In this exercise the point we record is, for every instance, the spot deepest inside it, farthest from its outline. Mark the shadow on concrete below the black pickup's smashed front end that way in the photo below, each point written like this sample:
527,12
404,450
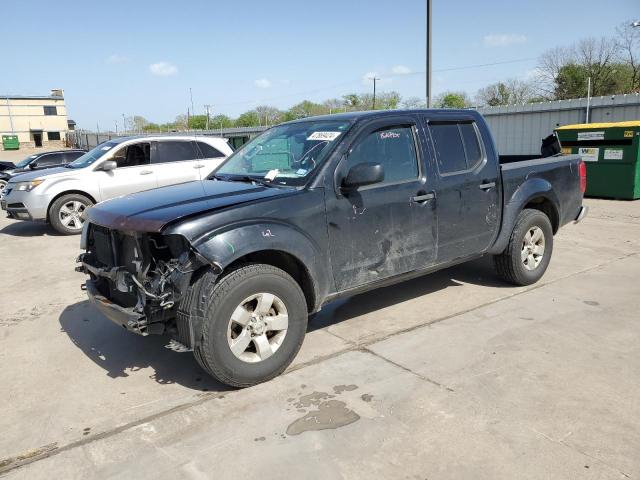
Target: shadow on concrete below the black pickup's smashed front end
121,353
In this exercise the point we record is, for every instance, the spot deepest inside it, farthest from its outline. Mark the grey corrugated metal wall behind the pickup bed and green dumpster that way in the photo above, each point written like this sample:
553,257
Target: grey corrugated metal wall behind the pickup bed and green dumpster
519,129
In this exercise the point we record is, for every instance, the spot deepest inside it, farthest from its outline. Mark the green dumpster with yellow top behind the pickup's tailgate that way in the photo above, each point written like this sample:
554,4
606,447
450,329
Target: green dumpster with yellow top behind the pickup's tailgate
611,153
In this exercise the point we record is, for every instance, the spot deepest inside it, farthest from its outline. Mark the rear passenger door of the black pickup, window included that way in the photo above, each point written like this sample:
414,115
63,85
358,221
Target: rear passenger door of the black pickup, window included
467,189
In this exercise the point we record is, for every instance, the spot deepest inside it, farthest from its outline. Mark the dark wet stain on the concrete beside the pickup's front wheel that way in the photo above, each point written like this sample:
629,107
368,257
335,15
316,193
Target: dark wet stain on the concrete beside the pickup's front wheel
328,412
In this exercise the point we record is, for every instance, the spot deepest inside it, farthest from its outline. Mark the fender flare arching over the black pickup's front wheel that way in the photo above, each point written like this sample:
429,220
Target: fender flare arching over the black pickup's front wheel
225,247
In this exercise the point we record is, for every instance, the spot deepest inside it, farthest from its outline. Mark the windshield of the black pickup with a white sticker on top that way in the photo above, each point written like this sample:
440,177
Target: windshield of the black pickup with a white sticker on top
284,155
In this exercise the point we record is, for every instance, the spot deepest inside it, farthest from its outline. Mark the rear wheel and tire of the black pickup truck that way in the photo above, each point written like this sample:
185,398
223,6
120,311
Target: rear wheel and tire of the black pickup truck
528,253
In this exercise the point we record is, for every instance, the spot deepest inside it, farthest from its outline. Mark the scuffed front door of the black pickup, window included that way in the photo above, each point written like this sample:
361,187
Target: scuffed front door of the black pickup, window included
387,228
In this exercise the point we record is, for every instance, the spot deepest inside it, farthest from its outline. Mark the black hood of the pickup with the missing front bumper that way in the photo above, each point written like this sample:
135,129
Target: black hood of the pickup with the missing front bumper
152,210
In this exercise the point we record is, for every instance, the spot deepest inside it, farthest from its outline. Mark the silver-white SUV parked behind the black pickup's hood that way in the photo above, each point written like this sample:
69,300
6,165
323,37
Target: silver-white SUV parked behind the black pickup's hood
117,167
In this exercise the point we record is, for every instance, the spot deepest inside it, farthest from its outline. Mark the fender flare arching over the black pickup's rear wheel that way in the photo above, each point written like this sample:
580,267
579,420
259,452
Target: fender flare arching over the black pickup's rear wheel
532,188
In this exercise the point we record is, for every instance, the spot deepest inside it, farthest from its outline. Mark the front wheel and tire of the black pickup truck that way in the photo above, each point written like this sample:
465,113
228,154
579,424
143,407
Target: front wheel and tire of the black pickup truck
254,323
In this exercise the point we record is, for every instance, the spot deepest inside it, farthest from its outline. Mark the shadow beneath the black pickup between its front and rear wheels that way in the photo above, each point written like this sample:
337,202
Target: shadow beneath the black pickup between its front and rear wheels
477,272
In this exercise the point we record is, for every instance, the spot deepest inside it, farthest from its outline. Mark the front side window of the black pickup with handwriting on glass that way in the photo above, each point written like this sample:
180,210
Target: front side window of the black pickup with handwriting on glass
392,147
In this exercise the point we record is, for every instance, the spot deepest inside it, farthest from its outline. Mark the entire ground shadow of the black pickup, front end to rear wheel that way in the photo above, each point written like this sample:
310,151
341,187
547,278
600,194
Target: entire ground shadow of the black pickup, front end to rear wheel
121,353
